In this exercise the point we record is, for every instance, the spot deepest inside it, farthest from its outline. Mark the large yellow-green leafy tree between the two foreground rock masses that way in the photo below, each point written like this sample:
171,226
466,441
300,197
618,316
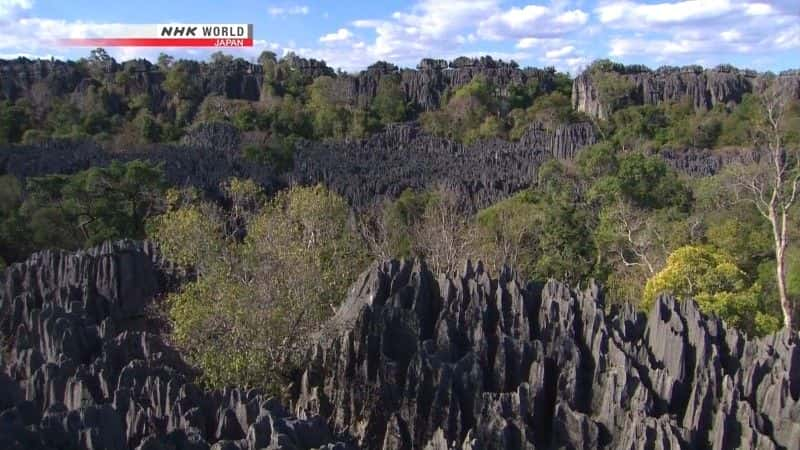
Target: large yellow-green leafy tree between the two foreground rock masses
265,294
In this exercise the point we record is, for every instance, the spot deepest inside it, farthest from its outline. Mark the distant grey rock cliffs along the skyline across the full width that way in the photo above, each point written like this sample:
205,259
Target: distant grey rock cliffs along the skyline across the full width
424,87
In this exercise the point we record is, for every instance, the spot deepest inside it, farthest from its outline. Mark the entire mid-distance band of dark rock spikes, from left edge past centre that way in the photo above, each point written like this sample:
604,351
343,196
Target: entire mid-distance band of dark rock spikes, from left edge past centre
364,171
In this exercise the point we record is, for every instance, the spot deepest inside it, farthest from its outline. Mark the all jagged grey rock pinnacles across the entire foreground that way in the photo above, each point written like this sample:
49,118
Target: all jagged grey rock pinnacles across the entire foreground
411,360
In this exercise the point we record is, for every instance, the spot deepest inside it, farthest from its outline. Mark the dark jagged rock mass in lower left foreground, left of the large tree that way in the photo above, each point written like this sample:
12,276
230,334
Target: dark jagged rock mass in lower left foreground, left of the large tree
88,369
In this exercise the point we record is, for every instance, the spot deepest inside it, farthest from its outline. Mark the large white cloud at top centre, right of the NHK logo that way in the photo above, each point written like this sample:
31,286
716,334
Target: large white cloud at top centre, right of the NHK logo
431,28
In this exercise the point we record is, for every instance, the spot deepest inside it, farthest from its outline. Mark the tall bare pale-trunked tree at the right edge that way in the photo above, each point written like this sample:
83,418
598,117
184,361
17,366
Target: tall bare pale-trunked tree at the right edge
772,185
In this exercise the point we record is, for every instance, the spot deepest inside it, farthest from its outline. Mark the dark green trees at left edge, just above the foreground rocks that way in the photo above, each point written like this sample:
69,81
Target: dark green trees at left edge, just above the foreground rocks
79,210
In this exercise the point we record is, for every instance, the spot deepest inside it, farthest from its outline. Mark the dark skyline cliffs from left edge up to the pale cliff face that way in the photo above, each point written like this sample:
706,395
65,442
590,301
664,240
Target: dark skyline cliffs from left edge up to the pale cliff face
423,87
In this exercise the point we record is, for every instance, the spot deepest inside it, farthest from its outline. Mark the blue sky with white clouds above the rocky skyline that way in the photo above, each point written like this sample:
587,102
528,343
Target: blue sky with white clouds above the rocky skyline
568,34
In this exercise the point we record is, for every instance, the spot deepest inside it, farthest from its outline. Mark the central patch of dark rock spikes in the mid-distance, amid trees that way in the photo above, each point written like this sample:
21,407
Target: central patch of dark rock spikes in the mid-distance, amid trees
404,156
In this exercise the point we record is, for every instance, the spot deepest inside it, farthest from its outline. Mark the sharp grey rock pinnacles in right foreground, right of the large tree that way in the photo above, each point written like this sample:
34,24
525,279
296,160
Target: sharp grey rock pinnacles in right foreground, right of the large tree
466,361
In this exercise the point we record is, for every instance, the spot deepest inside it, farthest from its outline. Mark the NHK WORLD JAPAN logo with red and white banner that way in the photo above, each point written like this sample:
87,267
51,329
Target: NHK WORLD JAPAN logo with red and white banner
165,35
